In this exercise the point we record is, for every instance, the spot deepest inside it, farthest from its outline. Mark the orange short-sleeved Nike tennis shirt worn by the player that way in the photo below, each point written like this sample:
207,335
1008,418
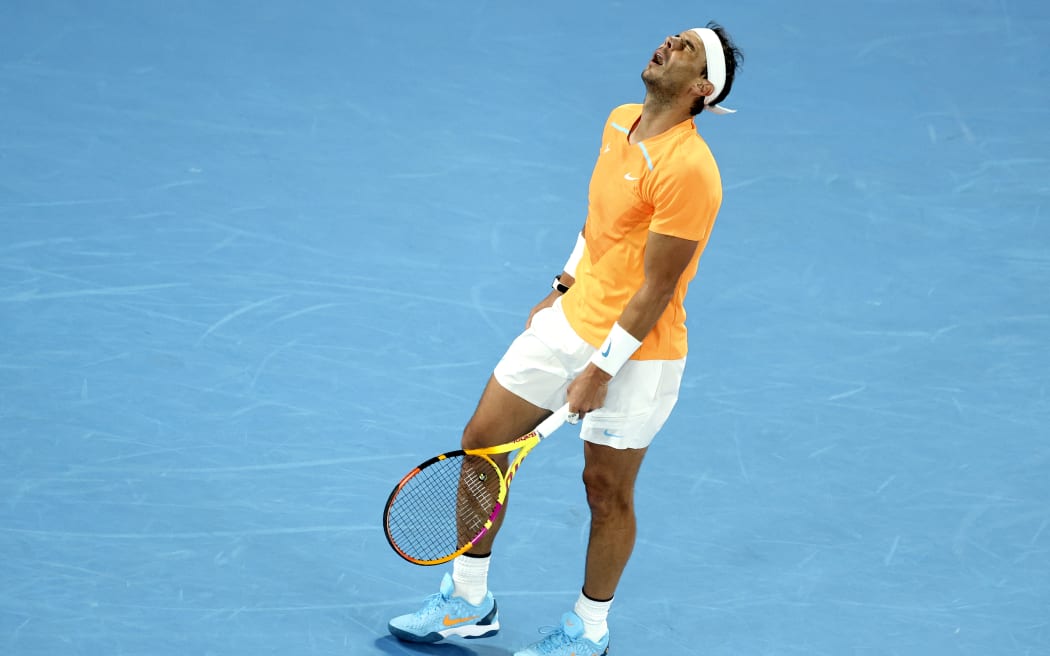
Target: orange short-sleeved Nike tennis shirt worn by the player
668,185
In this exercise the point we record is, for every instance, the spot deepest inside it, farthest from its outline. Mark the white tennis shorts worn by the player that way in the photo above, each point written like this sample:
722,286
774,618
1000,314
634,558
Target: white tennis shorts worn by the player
542,362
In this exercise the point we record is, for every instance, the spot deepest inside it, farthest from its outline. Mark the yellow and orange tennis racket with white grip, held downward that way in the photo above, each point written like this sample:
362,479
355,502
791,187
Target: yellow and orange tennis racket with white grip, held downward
446,505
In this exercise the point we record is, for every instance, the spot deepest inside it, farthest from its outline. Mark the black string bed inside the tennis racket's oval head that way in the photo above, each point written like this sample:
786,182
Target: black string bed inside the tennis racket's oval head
444,507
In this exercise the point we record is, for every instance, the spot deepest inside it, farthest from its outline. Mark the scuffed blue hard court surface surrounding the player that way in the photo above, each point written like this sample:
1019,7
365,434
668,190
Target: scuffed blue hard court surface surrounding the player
258,260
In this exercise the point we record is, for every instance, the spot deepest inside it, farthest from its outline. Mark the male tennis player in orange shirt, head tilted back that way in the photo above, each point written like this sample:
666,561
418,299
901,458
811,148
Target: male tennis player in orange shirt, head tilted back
610,340
